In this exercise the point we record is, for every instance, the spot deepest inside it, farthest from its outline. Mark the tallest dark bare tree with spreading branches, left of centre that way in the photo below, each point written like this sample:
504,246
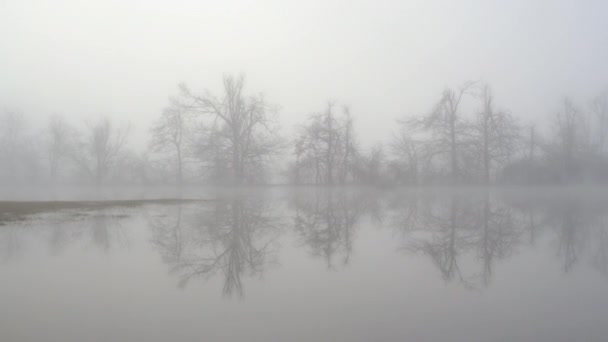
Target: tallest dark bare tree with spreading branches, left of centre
241,126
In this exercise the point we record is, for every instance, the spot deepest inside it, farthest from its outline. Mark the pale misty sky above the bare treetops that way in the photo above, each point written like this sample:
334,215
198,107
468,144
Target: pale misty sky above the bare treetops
387,59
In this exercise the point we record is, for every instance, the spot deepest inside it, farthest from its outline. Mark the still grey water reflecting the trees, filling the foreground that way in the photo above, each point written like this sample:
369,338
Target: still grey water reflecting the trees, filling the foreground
313,265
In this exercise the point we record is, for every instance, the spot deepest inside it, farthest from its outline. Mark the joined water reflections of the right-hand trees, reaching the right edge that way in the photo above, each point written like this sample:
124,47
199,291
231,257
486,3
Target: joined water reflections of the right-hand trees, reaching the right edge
485,228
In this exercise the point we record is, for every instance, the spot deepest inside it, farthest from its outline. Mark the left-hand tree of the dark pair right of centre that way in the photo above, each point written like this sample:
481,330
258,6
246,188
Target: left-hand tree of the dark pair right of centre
446,128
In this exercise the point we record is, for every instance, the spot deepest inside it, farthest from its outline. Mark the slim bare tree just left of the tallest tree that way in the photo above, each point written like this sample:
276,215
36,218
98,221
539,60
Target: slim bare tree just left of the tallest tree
170,134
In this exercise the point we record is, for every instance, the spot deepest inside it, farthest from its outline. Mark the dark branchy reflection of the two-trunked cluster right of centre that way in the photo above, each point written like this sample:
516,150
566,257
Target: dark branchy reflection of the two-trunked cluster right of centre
459,227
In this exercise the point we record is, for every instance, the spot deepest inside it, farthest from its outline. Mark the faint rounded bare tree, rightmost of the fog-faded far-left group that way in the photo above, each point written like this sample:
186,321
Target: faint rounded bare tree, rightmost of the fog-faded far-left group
101,147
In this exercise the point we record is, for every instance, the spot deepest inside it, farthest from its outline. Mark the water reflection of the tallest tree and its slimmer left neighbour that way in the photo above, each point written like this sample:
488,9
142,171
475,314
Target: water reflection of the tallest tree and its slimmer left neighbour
232,237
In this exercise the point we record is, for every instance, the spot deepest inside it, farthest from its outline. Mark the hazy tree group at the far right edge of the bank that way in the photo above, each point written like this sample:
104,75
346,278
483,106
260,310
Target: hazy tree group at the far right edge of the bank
574,150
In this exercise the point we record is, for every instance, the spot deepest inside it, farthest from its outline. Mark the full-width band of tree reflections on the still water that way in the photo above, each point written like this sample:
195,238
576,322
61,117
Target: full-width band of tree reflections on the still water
464,235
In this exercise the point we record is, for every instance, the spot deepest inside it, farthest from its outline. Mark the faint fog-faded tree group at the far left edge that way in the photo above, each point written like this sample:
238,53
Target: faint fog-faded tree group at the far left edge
96,152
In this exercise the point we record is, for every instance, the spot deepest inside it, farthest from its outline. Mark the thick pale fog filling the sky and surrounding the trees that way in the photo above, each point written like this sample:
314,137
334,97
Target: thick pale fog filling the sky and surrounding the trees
77,66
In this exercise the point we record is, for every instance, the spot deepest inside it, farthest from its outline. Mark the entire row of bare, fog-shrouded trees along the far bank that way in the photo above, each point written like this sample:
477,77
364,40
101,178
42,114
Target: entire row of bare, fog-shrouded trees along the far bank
234,138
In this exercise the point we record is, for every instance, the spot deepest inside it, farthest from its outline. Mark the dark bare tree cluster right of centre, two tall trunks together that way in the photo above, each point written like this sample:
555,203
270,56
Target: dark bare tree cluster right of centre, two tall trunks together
446,145
